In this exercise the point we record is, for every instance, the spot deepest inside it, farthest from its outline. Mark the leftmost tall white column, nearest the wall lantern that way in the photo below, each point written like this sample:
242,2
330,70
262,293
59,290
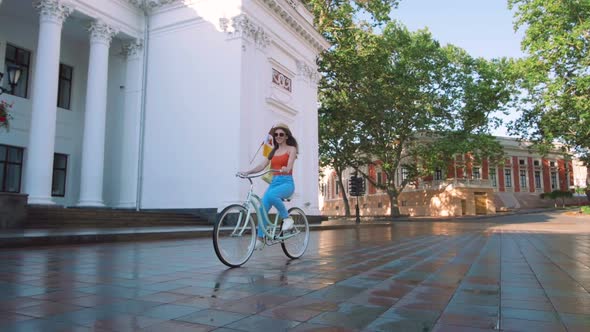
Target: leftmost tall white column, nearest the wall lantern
39,163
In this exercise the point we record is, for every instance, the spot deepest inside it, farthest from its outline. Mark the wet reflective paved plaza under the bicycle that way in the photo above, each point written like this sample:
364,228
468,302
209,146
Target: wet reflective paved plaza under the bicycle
513,273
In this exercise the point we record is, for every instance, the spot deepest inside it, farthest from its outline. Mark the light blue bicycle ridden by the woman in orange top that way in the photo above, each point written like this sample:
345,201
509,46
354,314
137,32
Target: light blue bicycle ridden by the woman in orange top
234,234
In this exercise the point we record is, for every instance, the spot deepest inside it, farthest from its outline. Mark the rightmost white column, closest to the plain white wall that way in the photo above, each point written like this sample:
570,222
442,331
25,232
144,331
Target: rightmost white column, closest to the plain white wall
131,122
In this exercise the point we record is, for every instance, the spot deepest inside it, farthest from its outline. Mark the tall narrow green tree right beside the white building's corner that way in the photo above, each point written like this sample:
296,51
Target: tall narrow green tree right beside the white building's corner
341,66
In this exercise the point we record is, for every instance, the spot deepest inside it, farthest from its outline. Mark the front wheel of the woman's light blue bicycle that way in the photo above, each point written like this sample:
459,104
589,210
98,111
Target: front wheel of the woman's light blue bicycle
234,235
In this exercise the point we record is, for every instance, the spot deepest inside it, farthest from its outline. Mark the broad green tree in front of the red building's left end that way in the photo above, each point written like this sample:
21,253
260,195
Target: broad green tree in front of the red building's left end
419,104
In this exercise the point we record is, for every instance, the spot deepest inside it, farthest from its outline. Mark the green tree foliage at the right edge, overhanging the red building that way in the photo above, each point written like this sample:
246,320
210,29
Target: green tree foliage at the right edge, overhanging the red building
554,76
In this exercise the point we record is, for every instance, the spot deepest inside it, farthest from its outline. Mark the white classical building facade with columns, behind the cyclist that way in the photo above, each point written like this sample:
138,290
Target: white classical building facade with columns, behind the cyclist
155,104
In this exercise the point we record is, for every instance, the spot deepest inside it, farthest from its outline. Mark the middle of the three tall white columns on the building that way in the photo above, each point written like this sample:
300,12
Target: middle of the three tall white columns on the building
95,115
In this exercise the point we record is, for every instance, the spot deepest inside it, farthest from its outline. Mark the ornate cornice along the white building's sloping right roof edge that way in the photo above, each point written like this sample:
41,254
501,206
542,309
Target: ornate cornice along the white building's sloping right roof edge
314,38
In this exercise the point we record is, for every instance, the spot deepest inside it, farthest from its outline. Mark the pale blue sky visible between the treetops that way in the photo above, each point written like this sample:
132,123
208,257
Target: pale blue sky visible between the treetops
484,28
